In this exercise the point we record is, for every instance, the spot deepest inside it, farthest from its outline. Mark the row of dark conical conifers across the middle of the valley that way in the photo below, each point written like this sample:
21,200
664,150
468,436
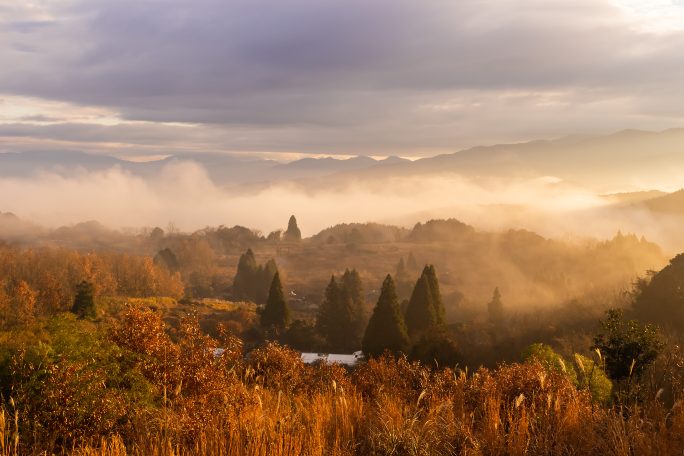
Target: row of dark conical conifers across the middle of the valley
342,321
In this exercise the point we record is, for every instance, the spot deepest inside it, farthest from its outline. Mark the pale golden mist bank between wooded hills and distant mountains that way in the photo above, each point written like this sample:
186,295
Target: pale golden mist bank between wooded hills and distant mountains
184,195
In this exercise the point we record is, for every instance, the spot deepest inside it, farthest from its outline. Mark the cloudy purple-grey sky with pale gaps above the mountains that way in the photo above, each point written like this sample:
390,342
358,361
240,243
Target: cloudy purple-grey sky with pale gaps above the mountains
378,77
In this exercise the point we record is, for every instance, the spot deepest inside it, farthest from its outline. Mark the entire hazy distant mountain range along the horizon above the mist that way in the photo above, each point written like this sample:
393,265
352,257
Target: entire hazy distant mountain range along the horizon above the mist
626,159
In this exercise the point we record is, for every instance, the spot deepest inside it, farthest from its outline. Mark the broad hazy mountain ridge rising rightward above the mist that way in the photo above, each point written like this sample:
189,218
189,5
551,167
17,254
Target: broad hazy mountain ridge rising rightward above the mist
603,163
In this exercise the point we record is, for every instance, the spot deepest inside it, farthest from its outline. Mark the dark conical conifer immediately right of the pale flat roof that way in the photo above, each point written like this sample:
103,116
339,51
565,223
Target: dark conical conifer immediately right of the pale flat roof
386,329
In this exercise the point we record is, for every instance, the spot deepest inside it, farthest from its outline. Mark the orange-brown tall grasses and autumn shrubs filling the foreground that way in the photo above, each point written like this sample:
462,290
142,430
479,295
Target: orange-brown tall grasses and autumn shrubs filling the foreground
273,404
